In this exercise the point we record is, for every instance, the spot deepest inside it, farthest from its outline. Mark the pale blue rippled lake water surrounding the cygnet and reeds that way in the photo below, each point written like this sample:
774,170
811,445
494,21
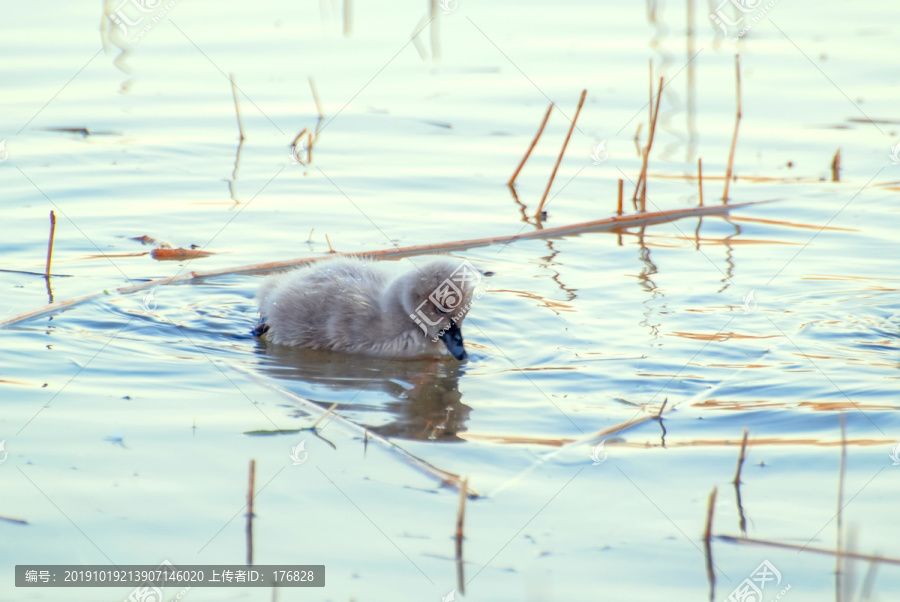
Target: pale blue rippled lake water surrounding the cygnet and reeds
128,422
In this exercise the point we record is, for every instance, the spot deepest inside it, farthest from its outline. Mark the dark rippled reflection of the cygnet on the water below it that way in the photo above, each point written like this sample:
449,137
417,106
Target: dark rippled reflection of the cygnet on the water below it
421,398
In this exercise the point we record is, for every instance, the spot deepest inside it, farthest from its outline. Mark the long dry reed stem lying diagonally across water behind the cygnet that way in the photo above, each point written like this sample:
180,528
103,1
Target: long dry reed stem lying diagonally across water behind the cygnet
602,225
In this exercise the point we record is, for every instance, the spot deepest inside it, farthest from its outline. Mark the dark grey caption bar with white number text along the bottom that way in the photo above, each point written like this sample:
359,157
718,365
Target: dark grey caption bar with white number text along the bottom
169,575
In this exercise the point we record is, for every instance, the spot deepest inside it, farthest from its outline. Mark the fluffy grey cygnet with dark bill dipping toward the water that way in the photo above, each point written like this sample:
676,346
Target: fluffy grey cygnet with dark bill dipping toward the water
357,306
